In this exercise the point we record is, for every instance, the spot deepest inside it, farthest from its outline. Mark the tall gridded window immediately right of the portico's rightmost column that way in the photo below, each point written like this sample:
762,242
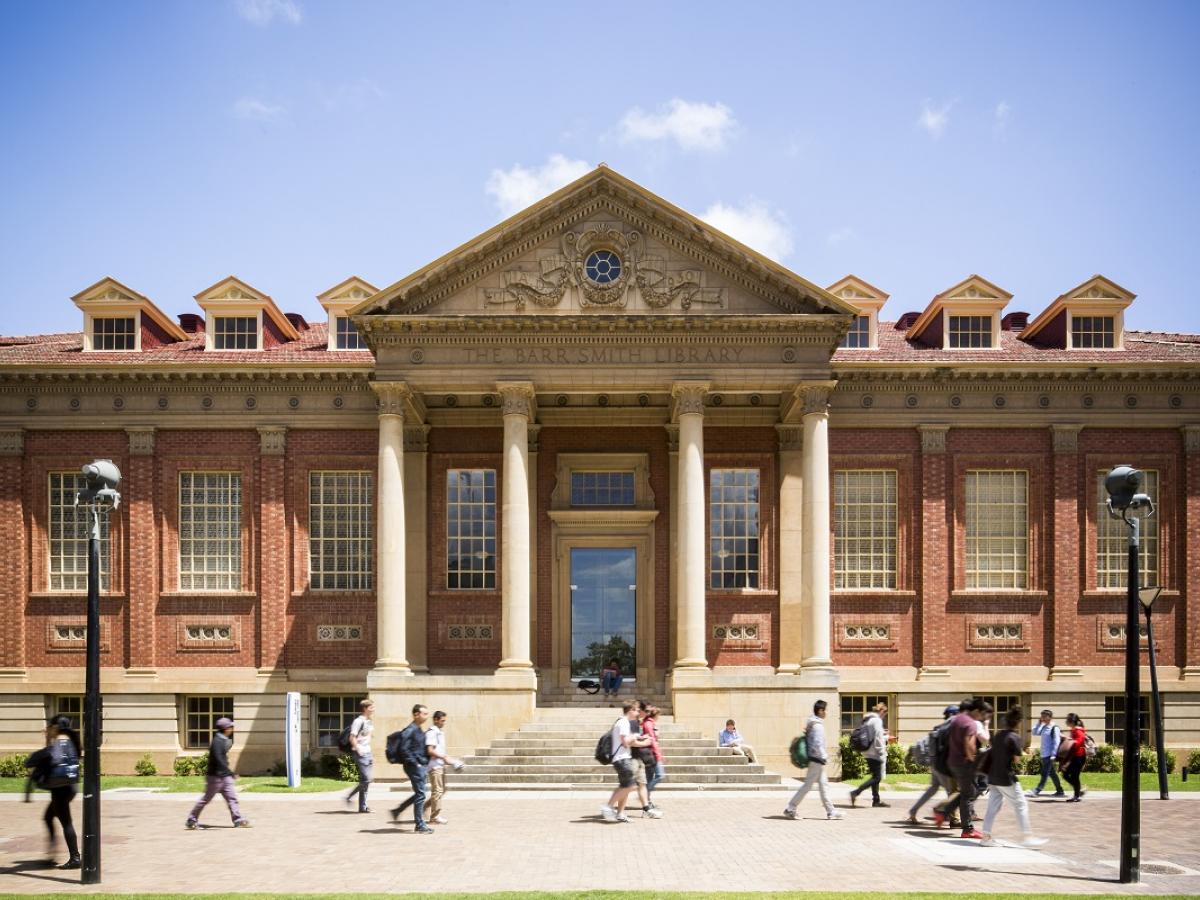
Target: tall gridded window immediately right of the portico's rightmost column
865,525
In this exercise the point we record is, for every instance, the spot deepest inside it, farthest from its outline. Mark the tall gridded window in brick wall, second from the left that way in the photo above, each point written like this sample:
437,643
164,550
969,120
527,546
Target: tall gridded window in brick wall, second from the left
209,531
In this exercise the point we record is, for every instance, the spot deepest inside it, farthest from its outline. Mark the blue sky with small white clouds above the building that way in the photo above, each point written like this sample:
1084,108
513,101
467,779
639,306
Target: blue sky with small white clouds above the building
295,143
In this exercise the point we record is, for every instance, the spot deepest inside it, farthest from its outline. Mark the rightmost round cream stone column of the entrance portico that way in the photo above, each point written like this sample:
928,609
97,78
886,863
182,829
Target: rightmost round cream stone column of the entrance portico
818,662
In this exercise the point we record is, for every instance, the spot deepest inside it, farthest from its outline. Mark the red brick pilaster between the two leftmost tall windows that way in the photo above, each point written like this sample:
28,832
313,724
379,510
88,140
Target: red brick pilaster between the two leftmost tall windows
139,496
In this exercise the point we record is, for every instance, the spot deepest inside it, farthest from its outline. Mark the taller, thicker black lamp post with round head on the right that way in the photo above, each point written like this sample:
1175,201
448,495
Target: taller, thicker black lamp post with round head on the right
1130,505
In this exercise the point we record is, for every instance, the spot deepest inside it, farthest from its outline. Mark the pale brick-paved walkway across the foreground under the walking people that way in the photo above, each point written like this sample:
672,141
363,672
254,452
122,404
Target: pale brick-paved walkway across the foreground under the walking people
556,841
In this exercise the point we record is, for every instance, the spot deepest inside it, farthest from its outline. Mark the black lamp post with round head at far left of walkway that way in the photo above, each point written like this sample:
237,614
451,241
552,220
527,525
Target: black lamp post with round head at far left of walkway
100,496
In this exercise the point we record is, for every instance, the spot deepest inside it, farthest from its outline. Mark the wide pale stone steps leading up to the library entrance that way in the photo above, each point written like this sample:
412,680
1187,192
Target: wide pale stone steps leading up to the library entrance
555,753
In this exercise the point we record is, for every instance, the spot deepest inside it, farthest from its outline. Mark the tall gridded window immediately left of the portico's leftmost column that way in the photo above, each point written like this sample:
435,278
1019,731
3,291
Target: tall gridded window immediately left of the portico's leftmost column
340,545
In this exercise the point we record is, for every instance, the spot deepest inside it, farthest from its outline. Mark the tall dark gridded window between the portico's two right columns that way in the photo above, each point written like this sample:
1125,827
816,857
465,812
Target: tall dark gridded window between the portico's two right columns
734,529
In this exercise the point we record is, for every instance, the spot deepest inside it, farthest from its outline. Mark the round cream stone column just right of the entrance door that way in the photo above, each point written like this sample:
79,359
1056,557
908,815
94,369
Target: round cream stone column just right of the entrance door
689,399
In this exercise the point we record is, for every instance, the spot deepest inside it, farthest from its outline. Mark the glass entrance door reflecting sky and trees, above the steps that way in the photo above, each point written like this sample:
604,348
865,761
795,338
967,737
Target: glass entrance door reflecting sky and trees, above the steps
604,610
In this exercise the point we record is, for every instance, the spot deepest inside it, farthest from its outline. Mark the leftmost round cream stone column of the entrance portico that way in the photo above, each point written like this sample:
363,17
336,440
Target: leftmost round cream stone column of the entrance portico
391,593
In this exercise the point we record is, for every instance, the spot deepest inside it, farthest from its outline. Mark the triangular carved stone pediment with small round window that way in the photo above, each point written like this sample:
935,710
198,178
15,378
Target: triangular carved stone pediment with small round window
603,245
